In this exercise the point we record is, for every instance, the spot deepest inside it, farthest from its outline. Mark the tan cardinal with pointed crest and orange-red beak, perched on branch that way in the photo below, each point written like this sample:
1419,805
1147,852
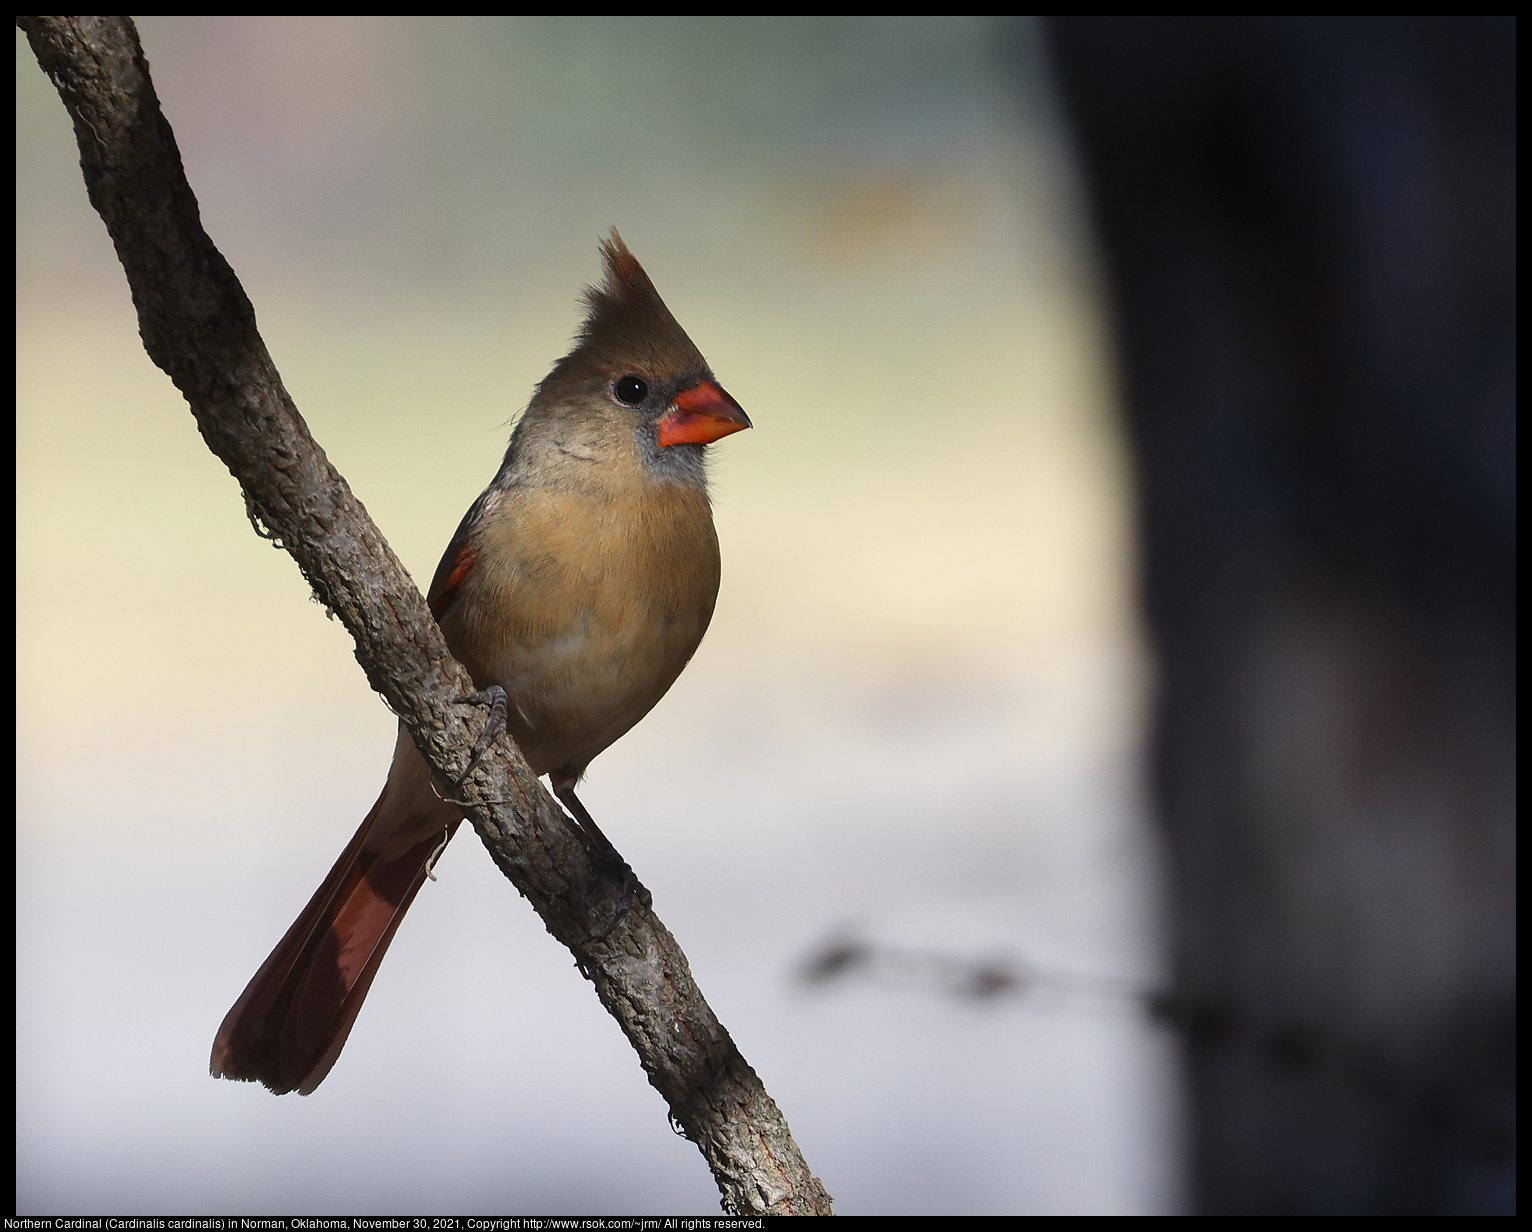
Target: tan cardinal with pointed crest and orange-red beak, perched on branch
581,582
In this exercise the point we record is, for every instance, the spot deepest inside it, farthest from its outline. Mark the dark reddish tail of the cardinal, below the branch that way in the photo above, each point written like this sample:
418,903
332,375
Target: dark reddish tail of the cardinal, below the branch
292,1021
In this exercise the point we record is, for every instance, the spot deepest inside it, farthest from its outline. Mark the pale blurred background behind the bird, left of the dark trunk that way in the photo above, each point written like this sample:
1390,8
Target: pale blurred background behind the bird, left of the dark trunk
917,718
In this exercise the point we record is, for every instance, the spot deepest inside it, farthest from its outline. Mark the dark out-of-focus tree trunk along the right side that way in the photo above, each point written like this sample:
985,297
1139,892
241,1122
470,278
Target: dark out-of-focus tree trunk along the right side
1309,231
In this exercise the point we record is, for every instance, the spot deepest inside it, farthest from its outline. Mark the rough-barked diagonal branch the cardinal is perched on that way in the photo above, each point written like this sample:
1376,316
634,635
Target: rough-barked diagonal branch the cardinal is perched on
198,326
